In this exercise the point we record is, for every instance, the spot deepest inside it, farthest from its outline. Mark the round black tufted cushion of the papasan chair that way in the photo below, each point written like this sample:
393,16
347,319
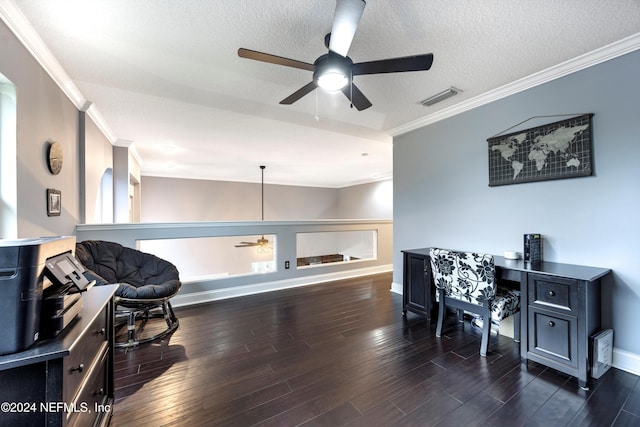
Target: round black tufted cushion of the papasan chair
139,274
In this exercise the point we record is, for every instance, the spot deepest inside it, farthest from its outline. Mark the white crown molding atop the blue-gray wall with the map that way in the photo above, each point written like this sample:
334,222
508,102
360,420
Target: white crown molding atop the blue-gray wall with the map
581,62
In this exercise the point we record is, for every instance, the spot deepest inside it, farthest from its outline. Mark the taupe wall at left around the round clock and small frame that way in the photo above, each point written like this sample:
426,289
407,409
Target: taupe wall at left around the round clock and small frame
43,113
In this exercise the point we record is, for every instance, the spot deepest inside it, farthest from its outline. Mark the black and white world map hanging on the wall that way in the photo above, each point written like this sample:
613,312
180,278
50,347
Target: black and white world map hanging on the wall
553,151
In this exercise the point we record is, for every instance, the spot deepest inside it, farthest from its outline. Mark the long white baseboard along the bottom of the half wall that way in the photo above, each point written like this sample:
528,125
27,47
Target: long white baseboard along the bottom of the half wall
182,300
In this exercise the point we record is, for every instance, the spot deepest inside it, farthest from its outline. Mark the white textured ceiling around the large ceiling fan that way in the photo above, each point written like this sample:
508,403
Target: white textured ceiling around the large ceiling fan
165,74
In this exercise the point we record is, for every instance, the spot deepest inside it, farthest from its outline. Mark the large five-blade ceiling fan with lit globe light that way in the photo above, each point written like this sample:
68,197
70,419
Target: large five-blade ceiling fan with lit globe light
335,70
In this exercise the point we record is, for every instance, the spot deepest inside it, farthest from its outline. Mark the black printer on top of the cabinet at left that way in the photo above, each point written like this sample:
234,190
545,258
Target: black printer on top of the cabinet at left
41,285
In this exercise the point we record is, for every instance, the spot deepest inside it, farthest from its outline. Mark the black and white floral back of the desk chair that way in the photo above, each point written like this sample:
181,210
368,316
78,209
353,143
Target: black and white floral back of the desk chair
466,276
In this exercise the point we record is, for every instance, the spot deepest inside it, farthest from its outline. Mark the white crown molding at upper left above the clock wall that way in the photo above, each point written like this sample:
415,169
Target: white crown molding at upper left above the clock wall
26,34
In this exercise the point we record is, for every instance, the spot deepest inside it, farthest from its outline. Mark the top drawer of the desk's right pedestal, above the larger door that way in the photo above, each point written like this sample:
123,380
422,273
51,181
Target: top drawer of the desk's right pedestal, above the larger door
553,292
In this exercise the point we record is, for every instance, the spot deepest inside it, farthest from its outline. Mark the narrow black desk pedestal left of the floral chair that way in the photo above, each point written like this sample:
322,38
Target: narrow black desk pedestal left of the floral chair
417,294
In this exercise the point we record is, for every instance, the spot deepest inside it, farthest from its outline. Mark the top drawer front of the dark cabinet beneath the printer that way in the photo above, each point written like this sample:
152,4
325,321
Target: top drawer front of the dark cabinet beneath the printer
76,366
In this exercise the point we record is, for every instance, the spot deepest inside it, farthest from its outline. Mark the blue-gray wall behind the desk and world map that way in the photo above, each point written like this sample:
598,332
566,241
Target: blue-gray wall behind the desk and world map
441,196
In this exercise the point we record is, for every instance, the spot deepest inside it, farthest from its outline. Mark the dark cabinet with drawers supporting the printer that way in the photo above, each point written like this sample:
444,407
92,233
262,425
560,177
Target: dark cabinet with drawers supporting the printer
68,380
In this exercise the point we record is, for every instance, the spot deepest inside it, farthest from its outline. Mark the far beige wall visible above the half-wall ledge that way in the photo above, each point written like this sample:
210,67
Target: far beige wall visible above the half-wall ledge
177,200
